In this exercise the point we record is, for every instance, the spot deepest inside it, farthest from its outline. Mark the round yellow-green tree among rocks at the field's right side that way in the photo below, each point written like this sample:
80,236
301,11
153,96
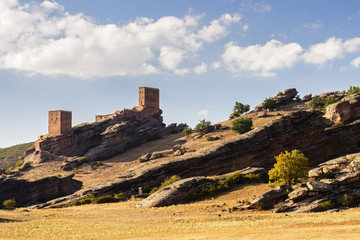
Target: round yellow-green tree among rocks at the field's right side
290,168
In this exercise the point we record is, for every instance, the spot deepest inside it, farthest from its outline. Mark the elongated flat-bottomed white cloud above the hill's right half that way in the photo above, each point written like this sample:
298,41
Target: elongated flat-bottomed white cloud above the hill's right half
261,60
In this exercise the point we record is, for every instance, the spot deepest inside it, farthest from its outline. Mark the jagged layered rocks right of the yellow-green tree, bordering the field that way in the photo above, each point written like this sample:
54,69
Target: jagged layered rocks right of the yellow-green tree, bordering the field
334,184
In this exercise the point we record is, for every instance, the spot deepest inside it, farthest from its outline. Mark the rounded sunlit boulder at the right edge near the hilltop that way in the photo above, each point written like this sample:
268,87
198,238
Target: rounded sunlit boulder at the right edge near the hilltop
347,110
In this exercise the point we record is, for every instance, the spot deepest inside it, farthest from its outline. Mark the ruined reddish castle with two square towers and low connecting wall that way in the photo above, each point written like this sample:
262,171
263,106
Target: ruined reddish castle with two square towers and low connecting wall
61,121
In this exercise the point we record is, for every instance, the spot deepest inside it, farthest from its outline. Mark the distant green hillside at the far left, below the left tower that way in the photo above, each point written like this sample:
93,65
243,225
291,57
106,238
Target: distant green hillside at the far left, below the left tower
9,156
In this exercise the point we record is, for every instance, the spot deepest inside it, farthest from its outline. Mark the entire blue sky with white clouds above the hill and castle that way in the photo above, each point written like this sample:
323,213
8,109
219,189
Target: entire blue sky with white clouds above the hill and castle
90,56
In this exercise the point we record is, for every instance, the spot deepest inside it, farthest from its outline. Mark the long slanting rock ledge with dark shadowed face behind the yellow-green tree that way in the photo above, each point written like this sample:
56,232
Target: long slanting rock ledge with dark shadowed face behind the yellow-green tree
303,130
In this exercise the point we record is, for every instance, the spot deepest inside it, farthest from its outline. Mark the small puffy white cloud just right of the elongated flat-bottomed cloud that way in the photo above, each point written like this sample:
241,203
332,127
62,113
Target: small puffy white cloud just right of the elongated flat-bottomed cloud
322,52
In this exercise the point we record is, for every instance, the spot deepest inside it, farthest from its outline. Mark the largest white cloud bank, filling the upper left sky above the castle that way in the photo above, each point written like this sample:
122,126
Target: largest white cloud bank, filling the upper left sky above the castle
42,38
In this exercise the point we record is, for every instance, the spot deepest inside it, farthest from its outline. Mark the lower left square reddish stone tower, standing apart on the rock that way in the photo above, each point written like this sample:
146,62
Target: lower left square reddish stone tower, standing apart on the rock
59,121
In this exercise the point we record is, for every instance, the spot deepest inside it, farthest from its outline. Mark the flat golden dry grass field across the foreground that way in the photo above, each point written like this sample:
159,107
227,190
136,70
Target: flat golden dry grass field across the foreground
202,220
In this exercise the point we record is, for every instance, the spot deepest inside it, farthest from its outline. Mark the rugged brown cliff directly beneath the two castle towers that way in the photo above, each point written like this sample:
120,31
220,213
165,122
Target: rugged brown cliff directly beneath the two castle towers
102,139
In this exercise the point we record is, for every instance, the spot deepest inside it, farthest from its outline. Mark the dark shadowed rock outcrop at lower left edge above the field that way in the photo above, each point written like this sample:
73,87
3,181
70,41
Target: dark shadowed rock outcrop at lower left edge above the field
31,192
